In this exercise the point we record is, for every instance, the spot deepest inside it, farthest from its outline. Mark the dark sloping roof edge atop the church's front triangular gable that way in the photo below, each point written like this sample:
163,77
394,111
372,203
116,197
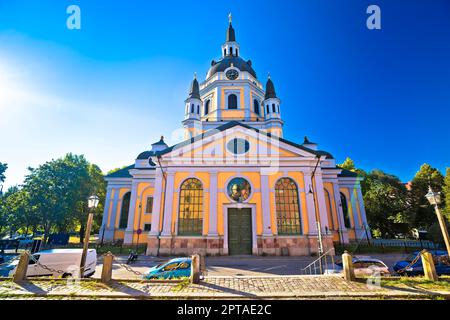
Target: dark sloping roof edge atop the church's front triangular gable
232,124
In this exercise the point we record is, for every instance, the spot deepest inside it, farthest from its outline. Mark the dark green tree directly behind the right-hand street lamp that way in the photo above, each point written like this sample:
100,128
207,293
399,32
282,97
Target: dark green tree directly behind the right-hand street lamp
423,214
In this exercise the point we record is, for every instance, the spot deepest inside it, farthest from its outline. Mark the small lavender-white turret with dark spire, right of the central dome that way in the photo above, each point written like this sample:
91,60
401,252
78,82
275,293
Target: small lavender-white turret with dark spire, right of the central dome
272,109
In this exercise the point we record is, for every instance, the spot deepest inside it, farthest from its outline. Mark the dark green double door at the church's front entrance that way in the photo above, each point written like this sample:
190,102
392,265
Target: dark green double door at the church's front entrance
239,231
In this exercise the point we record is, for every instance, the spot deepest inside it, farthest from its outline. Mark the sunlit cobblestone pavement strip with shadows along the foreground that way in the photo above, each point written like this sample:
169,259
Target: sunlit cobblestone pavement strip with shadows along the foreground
300,287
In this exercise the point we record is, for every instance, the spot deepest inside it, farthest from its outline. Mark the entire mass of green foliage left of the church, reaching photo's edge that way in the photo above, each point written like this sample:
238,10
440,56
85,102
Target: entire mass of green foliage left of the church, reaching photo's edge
54,197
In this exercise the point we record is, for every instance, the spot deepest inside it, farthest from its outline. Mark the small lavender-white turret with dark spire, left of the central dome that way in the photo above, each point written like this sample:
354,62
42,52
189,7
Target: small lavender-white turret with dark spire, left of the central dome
193,109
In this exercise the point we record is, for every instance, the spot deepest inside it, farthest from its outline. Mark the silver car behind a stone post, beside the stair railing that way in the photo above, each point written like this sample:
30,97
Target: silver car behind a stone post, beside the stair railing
363,266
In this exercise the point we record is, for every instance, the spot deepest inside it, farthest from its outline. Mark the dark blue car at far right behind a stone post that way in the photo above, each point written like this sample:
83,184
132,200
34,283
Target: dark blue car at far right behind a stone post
441,262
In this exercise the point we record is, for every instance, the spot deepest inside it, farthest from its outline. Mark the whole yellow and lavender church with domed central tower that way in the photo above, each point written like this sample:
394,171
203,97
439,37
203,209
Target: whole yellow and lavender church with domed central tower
235,185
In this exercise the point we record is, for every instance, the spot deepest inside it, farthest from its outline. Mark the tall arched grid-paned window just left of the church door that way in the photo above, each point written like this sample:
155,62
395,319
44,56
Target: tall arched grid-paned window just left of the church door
190,218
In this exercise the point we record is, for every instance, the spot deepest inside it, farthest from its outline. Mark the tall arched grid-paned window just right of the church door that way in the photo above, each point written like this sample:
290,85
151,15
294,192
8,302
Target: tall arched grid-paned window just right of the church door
287,206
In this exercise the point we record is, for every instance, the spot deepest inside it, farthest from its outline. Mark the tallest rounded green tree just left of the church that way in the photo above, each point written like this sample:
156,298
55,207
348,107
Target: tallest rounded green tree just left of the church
58,192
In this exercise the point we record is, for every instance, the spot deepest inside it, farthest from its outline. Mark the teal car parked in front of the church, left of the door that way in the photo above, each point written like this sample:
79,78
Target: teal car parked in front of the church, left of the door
175,268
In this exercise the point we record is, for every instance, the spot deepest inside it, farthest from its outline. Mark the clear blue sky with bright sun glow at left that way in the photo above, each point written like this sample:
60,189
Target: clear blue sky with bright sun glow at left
114,87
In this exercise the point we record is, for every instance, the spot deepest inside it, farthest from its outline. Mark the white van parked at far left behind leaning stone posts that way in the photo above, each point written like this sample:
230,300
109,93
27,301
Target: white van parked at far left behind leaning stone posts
61,262
